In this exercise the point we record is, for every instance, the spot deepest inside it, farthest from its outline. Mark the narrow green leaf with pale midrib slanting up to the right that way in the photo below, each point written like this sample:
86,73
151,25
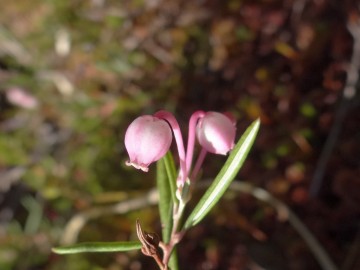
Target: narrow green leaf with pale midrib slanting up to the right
225,176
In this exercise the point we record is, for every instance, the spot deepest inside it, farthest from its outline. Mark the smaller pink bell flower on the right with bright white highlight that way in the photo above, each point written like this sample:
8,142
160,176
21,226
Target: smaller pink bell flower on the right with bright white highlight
216,133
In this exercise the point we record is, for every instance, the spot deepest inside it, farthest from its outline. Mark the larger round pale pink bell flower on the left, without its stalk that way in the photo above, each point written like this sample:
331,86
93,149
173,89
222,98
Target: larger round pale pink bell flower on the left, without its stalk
147,140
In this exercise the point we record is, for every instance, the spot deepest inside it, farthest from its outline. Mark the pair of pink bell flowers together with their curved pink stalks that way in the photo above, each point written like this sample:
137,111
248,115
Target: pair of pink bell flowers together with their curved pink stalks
149,137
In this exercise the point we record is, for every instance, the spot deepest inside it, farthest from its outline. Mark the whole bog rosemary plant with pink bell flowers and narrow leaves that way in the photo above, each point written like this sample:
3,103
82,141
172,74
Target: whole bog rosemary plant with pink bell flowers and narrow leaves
148,140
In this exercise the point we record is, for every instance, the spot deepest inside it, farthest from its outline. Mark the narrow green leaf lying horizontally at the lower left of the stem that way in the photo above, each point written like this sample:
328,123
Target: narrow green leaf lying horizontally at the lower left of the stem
98,247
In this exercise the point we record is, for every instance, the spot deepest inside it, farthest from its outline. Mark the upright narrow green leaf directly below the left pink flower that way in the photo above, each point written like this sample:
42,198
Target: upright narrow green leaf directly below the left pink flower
165,200
